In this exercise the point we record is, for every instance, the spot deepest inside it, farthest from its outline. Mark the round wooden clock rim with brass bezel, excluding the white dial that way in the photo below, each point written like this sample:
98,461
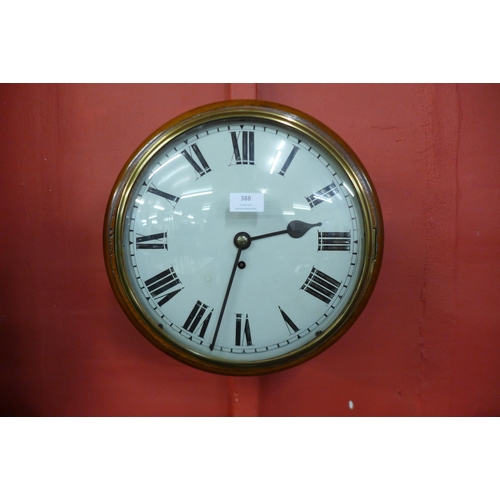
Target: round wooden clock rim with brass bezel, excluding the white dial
249,108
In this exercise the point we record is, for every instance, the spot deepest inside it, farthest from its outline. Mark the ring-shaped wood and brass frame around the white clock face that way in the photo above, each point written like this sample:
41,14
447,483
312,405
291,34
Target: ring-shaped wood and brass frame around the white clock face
317,133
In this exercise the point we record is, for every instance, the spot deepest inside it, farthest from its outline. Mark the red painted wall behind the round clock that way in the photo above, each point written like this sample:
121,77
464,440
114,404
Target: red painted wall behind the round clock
428,343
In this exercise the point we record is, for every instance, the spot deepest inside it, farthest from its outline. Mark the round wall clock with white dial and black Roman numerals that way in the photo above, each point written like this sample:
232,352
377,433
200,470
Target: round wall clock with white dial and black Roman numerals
243,238
